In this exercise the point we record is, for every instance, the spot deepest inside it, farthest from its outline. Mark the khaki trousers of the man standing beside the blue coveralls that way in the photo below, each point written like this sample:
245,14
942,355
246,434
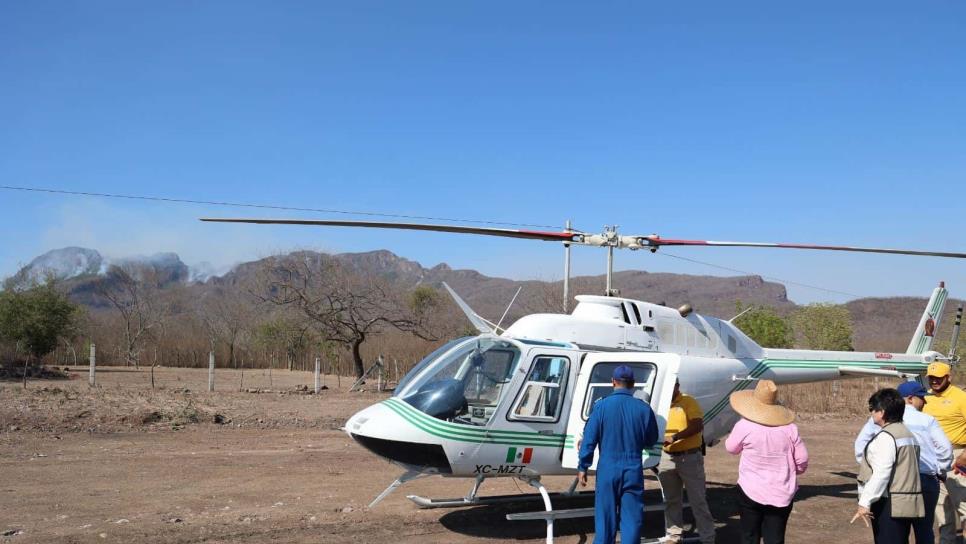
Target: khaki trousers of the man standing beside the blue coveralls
677,474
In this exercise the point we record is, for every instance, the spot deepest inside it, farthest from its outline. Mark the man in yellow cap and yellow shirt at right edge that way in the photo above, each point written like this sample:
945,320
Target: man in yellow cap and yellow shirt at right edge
948,405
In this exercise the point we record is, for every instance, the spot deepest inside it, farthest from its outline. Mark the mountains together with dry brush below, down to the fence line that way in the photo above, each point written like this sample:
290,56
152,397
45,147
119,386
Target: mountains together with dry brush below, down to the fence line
286,310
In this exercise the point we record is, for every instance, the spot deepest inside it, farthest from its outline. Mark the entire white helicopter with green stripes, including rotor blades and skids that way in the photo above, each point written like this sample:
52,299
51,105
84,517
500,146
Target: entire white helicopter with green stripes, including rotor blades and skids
512,402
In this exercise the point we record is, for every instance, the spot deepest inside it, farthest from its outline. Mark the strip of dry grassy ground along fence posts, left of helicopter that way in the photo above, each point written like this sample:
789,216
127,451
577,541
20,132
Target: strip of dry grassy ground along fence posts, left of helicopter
124,401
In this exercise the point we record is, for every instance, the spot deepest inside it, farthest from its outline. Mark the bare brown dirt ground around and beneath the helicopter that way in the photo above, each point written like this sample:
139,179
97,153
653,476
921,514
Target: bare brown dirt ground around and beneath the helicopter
125,463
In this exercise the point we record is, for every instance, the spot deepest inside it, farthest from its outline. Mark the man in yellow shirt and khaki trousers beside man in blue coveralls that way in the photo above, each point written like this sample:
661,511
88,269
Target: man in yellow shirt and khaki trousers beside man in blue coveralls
682,467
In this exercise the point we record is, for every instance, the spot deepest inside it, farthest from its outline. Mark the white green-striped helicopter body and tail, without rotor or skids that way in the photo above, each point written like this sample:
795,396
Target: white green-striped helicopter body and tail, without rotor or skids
514,404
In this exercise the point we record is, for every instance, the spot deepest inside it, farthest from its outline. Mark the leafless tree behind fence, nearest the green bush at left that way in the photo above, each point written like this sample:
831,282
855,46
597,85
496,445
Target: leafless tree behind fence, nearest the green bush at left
135,296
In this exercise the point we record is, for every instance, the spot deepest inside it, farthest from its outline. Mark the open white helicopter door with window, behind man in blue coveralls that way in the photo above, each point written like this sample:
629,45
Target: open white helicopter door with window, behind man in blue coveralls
655,375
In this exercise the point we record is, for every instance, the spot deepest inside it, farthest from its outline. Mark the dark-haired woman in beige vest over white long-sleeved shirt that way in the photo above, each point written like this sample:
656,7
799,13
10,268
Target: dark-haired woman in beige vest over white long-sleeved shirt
890,493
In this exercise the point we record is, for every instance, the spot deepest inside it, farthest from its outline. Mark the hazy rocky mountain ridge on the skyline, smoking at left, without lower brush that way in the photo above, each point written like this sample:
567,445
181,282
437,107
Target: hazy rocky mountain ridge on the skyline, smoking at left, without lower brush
885,322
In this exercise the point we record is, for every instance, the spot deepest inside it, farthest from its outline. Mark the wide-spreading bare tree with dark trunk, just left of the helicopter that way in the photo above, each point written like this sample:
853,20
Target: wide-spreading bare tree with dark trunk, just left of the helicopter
346,306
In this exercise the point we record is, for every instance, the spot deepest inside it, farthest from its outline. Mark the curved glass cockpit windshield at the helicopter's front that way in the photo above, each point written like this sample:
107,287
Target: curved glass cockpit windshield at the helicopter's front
465,382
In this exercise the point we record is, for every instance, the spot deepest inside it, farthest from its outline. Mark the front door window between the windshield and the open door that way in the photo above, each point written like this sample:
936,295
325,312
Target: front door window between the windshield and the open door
543,392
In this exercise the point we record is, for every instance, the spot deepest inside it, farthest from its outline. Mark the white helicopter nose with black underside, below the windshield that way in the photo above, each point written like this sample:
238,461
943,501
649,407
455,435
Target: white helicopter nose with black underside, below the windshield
387,434
